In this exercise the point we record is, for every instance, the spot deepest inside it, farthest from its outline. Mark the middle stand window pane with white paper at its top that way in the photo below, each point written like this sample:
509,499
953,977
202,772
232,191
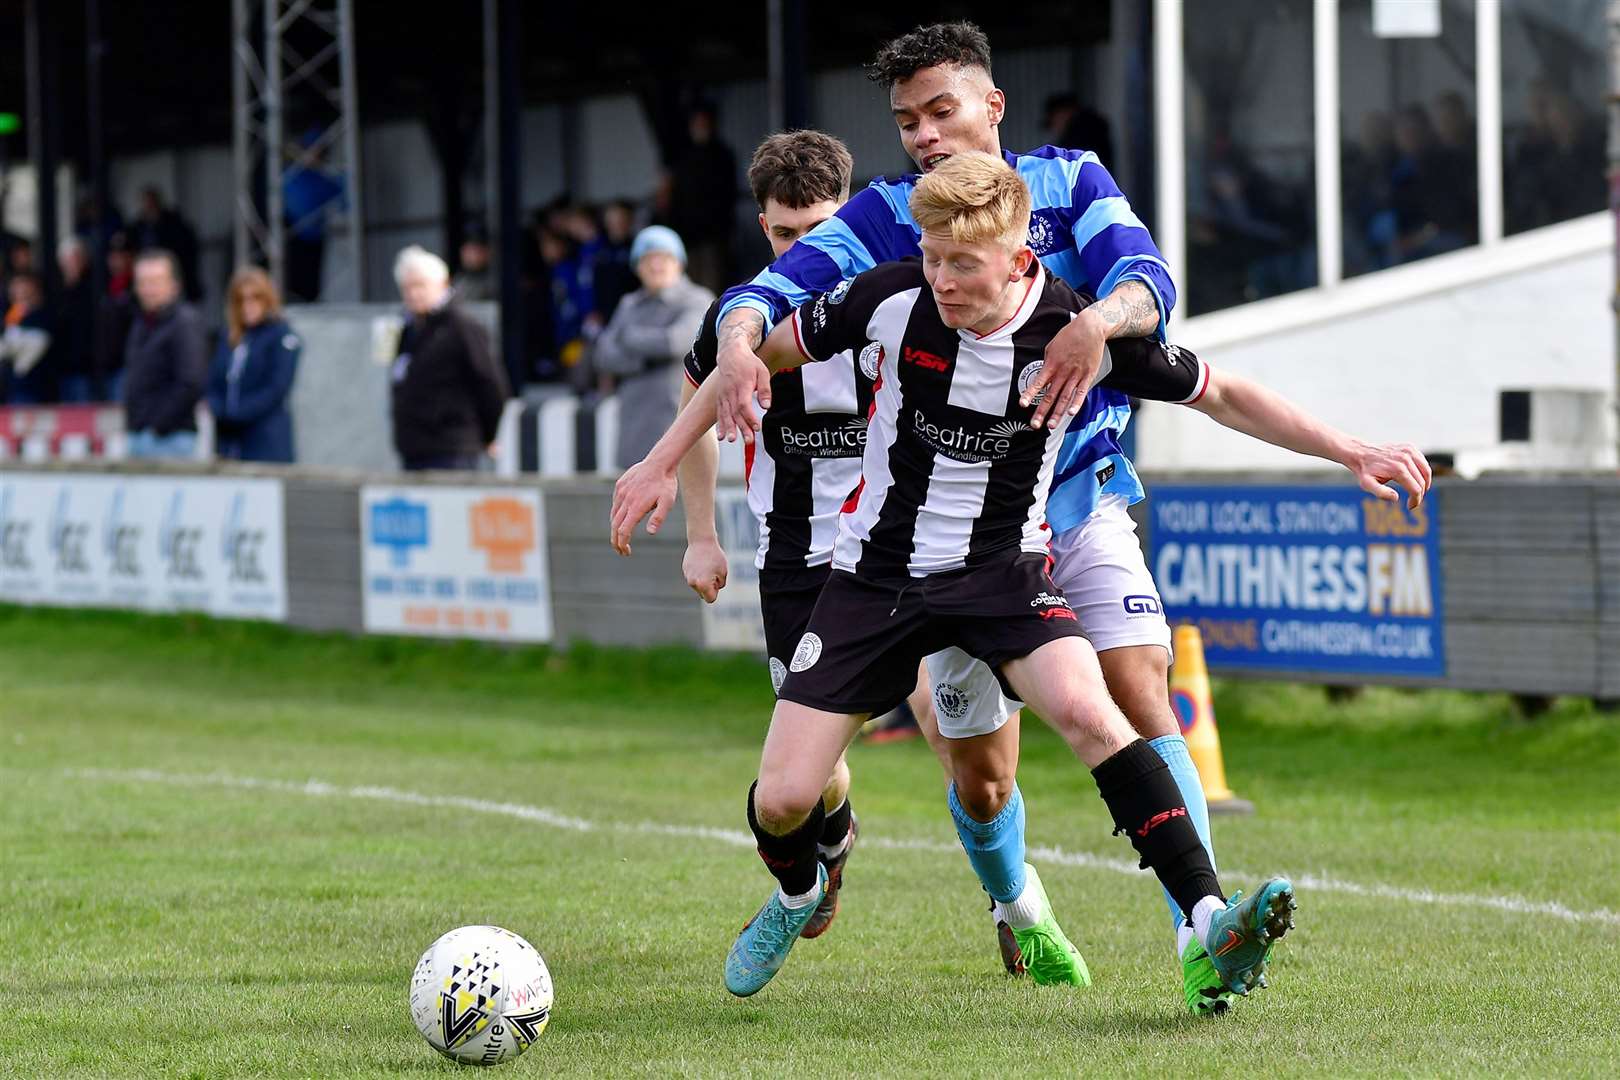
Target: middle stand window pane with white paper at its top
1410,156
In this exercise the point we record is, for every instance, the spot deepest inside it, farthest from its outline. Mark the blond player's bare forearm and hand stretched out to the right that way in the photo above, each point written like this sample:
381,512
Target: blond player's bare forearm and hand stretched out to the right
1248,407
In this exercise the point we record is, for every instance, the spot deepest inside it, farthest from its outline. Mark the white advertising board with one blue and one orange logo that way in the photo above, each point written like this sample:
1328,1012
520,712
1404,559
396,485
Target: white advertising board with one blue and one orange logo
454,563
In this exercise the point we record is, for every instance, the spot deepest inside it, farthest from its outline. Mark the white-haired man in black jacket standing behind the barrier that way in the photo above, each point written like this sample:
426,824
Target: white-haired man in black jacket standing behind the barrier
448,388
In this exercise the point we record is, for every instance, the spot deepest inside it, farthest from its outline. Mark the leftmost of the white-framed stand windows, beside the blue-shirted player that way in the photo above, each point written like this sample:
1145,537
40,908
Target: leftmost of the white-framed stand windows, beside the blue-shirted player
1250,151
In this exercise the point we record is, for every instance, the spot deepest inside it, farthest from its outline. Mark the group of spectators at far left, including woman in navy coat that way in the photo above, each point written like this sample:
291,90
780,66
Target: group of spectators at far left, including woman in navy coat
142,342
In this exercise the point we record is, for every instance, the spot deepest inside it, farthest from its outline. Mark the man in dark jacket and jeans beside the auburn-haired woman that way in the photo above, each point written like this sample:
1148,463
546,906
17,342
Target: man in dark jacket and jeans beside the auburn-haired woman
166,364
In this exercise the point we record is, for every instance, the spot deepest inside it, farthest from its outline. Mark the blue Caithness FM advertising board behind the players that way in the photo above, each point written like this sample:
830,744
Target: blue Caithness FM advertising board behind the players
1302,579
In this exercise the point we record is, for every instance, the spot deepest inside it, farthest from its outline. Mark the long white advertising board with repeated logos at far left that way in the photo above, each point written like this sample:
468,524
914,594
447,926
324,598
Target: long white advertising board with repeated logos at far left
189,543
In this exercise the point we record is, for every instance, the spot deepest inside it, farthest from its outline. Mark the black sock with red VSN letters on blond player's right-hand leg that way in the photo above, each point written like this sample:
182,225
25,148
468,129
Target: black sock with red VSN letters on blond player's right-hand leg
1148,807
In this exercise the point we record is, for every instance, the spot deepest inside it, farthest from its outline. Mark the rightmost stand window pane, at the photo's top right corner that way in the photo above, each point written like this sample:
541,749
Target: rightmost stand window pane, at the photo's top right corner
1553,122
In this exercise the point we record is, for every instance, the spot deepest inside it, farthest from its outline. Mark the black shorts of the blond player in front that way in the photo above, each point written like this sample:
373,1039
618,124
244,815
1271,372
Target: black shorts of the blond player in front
866,640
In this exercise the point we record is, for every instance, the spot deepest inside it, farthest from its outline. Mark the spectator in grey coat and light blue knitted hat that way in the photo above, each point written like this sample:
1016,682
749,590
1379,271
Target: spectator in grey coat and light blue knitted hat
649,334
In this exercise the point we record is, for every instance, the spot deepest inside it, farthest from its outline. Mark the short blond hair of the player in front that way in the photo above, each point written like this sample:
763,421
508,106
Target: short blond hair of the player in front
974,198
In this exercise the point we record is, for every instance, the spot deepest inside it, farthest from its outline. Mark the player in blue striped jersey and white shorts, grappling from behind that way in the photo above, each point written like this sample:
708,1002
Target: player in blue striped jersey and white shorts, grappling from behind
1083,229
